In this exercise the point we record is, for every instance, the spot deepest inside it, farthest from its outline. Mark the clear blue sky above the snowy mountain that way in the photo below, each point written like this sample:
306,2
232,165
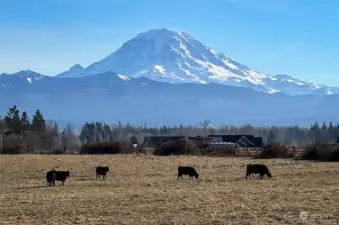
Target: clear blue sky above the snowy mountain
295,37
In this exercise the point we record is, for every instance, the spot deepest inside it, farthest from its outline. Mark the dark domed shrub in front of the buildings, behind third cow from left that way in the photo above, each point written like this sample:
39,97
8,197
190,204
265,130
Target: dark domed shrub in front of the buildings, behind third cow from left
178,147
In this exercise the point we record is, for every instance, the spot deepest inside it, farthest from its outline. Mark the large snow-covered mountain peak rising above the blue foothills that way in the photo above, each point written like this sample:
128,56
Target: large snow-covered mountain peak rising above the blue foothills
176,57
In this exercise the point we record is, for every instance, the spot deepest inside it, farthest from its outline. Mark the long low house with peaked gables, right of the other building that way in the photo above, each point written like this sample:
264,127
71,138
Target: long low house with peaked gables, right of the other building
239,141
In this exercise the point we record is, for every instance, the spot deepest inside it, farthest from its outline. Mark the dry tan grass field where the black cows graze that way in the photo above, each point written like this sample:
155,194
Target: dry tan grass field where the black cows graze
145,190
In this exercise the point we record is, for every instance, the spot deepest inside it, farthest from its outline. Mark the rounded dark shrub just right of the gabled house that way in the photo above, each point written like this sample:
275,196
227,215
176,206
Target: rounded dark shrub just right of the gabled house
274,150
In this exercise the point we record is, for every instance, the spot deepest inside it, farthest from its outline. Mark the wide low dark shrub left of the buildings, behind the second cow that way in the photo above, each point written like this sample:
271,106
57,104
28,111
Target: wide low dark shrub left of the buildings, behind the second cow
105,147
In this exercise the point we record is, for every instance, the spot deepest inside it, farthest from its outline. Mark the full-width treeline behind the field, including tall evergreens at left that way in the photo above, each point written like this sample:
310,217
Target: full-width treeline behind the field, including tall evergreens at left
24,134
